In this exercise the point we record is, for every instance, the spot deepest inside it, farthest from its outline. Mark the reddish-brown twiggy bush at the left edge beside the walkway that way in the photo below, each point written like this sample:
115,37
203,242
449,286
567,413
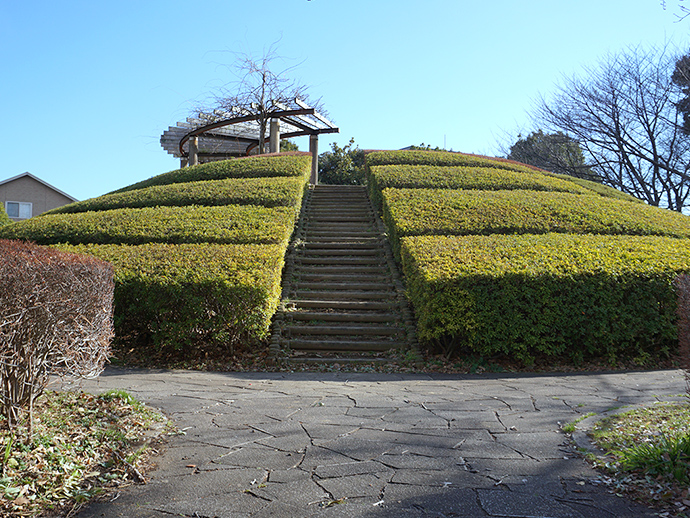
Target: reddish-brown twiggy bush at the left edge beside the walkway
55,318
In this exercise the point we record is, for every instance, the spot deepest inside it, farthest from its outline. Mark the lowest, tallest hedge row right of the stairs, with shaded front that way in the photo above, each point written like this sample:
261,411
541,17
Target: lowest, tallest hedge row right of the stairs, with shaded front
552,295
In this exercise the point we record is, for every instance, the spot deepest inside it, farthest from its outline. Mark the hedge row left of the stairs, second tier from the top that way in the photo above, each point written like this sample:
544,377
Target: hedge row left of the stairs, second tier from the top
267,192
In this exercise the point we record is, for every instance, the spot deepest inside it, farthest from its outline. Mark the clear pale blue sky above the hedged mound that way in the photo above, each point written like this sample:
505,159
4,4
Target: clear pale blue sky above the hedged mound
87,87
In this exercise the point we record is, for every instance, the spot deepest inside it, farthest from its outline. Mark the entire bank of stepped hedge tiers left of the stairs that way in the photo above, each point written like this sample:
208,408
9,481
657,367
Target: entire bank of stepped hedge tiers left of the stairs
198,252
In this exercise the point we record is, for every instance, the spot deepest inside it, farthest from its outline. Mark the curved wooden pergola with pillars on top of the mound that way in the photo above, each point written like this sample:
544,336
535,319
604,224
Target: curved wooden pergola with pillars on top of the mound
221,135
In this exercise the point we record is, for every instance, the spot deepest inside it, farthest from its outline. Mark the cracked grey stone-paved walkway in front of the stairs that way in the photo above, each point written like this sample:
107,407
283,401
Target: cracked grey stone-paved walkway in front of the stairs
372,445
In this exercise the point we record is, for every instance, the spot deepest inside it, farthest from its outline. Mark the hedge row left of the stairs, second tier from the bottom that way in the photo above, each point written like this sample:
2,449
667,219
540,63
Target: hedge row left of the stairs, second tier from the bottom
193,224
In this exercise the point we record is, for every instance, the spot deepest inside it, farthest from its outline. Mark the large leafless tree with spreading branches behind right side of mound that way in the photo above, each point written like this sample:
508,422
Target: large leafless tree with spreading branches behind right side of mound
624,116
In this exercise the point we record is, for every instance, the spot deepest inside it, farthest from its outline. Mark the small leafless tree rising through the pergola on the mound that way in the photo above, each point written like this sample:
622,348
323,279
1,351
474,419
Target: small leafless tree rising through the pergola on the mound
259,90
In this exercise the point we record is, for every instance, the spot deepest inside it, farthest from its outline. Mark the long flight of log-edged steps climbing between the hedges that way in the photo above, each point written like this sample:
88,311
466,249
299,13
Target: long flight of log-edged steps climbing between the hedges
342,294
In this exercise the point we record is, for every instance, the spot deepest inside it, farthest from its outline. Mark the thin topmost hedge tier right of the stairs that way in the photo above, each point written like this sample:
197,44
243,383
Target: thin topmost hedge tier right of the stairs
441,159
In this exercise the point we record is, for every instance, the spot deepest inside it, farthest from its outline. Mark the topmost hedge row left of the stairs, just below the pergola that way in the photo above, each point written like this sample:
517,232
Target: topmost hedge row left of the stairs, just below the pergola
291,164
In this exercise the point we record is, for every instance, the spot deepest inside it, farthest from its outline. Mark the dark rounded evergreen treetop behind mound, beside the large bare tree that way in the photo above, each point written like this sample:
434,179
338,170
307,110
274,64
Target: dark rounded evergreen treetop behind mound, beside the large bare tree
553,152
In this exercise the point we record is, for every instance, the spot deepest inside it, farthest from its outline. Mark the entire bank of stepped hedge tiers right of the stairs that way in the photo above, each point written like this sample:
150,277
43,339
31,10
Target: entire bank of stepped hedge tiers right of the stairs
500,262
